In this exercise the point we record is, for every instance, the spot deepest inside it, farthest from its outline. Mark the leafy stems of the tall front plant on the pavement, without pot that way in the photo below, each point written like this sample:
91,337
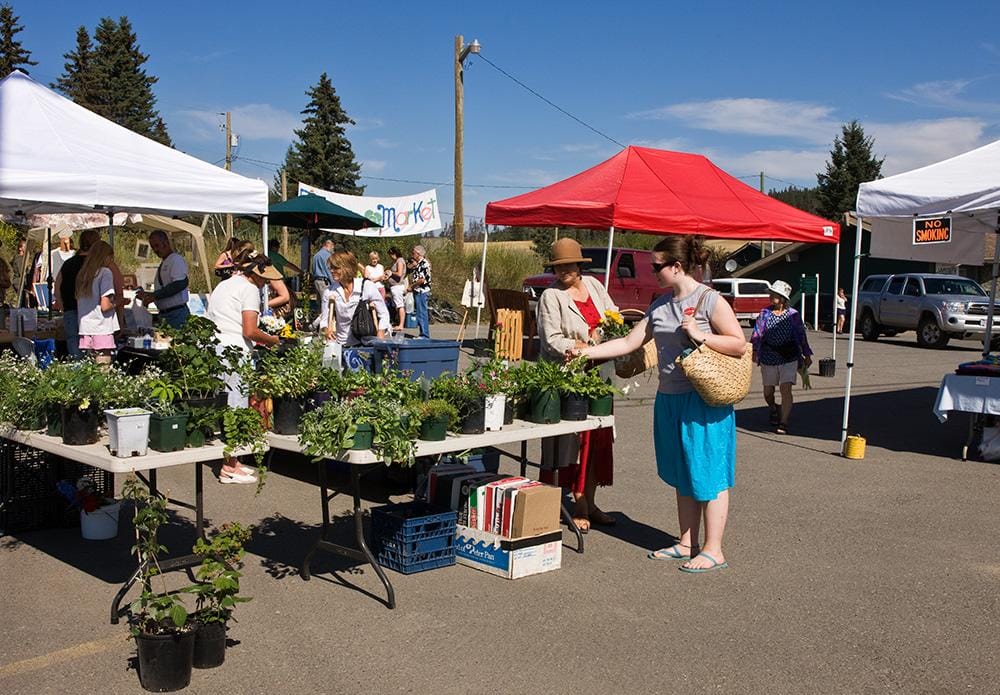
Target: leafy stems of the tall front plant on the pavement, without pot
154,612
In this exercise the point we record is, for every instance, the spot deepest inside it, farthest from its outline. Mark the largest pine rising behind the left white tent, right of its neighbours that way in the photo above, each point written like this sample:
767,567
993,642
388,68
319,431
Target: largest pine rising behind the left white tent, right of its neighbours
122,89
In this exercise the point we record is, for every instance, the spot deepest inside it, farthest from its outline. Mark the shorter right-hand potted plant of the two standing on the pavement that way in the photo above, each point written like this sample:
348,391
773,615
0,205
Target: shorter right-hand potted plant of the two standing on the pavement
217,592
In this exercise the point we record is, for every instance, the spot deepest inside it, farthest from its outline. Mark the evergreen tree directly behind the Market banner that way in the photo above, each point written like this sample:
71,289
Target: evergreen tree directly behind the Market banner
322,156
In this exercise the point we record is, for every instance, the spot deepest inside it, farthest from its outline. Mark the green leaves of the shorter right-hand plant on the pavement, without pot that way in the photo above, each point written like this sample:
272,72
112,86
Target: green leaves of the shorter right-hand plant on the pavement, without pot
218,589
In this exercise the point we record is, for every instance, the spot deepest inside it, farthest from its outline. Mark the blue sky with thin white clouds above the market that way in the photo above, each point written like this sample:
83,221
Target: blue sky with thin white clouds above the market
755,86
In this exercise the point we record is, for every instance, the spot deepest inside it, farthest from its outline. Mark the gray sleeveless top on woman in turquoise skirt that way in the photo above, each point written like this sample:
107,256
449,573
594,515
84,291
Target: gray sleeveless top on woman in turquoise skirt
665,316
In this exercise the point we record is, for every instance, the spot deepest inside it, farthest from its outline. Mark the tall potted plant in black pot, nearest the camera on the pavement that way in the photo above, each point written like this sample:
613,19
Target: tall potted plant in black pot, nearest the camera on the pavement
158,619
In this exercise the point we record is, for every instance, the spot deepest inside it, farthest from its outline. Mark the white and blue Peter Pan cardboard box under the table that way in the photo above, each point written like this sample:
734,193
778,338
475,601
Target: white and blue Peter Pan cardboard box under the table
511,559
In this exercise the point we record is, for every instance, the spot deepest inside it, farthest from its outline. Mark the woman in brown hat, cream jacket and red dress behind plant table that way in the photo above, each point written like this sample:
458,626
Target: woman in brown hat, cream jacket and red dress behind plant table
569,314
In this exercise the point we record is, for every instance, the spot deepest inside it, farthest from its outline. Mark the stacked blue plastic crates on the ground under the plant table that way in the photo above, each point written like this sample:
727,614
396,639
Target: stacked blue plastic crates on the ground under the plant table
414,537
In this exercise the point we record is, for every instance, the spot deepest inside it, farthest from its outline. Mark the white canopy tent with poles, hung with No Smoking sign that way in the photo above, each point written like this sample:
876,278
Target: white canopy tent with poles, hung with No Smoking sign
965,189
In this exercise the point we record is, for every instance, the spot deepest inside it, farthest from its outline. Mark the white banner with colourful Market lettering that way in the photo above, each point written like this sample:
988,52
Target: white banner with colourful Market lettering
402,216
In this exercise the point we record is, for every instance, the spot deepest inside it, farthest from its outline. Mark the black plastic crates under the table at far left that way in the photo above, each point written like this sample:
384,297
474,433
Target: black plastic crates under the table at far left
28,496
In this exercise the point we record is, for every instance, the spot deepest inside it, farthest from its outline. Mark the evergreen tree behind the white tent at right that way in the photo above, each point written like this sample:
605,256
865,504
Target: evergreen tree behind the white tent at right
852,162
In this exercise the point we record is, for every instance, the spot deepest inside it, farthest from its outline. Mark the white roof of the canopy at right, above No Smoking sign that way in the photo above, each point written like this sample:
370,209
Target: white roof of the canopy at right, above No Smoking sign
967,183
